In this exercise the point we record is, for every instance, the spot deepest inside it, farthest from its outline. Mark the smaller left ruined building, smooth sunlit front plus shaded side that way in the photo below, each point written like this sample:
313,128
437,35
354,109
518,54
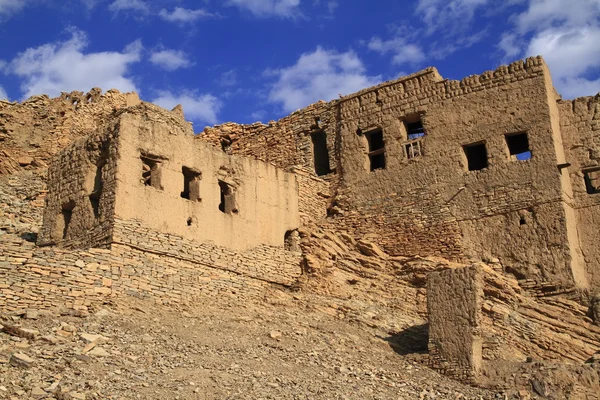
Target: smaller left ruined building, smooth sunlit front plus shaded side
146,166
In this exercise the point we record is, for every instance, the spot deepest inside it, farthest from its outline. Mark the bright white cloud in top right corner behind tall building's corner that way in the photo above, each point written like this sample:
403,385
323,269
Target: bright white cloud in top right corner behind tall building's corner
568,38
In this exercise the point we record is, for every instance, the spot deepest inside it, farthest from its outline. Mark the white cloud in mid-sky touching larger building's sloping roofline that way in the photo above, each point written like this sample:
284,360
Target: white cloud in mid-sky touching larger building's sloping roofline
320,75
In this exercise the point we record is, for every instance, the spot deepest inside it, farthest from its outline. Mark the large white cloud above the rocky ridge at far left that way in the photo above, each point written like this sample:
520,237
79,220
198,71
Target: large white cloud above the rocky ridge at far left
56,67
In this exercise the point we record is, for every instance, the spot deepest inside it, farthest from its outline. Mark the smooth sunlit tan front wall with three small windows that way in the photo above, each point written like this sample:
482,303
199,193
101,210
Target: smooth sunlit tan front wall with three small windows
261,208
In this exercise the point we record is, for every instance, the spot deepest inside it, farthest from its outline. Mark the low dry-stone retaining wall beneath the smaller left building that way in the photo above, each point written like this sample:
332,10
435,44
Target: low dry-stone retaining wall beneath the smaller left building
168,269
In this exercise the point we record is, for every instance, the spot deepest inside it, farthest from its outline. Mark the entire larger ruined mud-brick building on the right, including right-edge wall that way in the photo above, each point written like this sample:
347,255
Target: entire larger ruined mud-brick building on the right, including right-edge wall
495,166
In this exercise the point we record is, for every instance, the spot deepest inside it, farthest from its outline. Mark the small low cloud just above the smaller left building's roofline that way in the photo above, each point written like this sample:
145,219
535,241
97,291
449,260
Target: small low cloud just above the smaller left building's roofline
198,107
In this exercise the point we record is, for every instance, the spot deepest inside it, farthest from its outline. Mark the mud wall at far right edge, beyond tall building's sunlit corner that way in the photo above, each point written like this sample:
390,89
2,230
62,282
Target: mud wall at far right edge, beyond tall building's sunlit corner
580,127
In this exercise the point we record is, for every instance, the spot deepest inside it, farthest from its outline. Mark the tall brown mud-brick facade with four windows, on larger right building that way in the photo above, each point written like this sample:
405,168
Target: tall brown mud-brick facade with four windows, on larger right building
453,186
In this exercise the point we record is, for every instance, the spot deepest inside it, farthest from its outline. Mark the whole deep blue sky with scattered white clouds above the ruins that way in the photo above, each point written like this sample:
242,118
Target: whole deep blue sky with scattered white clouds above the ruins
249,60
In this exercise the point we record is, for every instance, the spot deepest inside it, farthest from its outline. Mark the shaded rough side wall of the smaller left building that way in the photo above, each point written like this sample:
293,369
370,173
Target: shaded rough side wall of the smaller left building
79,209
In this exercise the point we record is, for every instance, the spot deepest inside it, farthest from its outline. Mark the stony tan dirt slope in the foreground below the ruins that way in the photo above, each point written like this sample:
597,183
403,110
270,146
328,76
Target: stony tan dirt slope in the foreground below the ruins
217,349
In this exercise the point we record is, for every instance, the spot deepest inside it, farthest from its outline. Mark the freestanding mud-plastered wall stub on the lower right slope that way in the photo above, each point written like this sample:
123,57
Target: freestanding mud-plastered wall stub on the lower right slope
454,303
